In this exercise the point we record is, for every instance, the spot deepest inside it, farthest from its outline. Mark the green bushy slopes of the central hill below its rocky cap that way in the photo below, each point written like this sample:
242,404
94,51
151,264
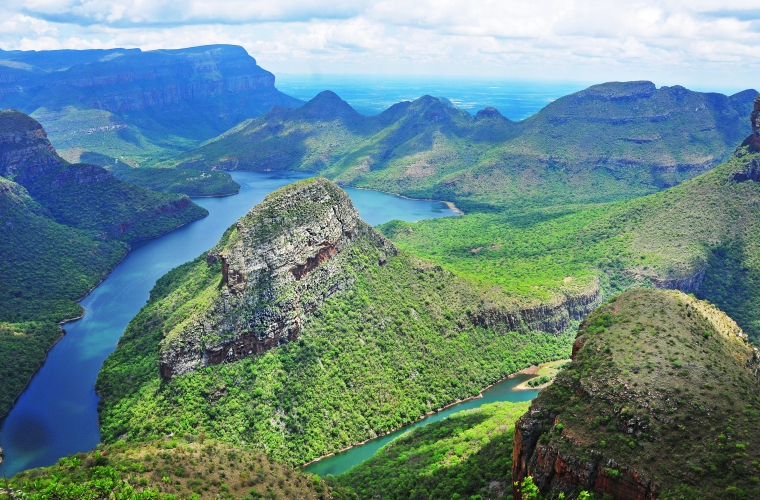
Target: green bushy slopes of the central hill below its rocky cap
398,345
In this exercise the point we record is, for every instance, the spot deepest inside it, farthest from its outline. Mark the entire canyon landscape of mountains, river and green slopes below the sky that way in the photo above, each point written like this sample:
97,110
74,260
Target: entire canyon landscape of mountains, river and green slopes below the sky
239,294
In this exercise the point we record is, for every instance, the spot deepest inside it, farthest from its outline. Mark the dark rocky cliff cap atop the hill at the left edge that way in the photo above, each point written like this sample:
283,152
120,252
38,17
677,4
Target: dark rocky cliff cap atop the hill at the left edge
25,152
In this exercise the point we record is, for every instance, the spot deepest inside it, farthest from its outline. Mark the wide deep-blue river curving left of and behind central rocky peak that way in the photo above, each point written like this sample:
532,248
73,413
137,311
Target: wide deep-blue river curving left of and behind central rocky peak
57,413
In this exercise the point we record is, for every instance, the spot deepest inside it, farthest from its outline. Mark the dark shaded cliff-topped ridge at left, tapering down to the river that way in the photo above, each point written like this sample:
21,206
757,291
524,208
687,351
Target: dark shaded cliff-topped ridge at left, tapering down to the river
85,196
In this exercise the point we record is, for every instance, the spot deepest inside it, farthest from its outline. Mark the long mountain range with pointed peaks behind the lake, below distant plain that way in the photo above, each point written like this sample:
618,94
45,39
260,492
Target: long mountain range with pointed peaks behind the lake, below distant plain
608,142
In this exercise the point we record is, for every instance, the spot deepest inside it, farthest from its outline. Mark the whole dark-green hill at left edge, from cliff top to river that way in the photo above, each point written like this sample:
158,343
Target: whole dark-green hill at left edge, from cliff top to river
62,229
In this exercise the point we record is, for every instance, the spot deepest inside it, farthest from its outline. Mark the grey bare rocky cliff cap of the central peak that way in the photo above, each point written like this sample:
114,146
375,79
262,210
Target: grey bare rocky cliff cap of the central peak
282,260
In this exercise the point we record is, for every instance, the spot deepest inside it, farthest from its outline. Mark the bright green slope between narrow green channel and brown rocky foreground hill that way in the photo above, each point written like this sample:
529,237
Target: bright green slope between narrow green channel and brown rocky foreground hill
466,455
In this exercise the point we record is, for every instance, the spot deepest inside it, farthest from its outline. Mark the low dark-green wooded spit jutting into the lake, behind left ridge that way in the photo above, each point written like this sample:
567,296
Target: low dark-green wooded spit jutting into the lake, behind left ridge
169,180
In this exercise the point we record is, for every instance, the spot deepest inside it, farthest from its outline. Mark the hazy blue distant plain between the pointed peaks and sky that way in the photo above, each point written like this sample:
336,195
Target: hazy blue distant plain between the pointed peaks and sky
370,95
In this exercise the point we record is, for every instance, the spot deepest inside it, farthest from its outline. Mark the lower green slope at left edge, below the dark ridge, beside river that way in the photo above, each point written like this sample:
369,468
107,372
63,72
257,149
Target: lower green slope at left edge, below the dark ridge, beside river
44,268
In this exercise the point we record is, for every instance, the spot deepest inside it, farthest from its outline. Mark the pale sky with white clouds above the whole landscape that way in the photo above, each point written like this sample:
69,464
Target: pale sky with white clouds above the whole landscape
697,43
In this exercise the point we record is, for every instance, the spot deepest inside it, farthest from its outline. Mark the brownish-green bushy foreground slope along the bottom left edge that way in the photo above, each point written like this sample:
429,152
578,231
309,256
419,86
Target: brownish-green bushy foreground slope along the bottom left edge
168,469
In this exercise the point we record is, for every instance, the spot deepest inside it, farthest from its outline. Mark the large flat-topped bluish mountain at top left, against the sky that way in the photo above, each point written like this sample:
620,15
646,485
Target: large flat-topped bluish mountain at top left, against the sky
132,105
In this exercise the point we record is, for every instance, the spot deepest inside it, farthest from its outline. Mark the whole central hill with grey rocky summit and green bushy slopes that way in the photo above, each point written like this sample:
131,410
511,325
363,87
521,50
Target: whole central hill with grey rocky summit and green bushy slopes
304,331
